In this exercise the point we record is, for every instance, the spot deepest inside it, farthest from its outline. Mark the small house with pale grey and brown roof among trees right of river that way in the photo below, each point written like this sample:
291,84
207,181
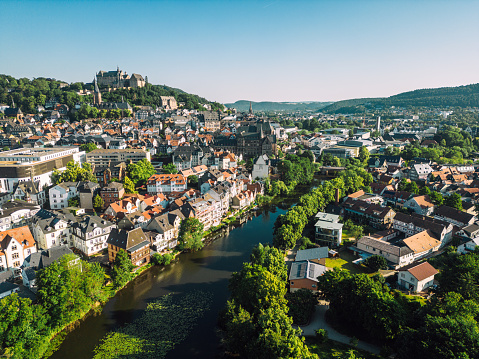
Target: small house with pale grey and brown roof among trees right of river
304,275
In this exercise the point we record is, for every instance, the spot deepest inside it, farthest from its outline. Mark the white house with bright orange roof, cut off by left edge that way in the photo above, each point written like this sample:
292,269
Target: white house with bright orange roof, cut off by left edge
15,245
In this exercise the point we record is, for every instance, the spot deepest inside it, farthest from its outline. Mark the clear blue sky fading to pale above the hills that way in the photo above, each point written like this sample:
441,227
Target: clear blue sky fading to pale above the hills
256,50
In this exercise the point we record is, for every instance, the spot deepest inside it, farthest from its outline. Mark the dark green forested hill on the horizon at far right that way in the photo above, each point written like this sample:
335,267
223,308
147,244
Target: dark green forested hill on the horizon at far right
461,96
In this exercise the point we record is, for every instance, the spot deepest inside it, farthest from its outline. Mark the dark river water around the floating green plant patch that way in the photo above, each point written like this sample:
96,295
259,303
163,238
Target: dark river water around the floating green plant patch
207,270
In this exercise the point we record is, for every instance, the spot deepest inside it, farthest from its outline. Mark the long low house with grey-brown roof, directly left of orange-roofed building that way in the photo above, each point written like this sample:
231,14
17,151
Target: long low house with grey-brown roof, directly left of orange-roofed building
396,256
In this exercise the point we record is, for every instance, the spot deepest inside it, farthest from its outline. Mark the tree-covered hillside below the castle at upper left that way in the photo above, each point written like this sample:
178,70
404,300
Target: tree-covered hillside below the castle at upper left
28,94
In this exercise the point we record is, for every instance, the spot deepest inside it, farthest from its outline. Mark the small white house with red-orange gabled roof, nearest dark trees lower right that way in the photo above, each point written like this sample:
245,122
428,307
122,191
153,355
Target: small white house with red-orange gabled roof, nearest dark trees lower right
416,277
